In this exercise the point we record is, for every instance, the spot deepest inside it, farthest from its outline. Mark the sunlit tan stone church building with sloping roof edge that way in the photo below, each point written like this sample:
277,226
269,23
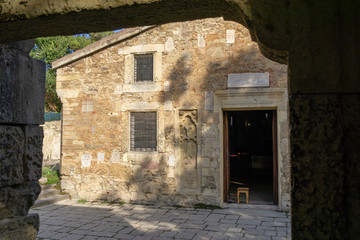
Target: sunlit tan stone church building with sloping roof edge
180,113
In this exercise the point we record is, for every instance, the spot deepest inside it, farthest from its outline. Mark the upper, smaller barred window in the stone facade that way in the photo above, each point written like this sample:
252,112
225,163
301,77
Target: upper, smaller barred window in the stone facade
143,67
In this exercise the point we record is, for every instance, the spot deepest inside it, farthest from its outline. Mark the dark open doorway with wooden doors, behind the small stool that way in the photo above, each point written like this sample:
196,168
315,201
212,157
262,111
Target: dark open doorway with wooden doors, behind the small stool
250,155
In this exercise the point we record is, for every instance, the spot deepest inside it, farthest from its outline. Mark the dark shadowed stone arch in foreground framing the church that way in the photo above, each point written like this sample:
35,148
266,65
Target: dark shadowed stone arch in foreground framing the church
318,41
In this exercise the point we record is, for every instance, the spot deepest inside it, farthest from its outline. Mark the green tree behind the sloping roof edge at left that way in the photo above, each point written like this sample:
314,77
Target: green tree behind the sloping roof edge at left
49,49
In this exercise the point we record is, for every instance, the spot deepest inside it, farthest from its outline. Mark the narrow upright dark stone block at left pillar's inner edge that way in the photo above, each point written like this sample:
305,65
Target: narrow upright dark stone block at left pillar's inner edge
33,153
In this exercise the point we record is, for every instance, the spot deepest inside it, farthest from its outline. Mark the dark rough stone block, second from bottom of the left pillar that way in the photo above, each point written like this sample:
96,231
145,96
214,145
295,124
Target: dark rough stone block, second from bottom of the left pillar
16,200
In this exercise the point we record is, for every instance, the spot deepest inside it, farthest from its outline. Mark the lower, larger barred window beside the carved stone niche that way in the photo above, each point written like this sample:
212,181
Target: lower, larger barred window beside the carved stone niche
143,131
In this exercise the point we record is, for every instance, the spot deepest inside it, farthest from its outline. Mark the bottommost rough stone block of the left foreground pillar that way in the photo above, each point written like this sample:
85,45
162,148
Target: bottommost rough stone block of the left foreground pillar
20,227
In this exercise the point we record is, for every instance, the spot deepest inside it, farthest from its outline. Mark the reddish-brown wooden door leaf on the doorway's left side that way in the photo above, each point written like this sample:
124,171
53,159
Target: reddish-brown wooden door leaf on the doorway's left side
226,157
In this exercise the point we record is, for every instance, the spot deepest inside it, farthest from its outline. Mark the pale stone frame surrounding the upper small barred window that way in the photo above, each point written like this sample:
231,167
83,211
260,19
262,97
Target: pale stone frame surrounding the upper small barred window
130,85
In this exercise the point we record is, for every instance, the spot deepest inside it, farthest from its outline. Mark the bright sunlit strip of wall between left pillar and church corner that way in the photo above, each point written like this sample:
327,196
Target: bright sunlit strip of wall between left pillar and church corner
52,140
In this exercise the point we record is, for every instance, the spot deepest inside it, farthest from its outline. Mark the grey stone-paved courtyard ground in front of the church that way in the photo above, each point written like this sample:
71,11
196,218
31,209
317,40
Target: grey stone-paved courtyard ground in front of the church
72,220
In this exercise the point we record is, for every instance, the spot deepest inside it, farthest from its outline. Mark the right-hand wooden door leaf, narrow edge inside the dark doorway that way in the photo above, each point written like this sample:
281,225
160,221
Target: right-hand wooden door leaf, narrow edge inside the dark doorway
275,162
